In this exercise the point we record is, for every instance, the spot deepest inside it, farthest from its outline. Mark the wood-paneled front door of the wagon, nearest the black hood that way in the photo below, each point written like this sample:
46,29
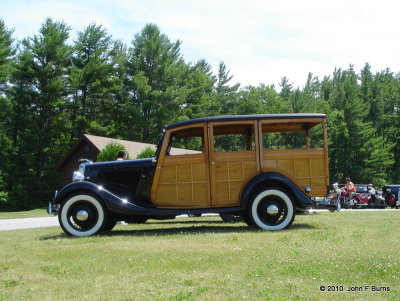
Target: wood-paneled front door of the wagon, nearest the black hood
182,178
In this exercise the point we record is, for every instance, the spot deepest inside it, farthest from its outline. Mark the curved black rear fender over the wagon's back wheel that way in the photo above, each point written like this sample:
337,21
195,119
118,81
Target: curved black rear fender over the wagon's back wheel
274,179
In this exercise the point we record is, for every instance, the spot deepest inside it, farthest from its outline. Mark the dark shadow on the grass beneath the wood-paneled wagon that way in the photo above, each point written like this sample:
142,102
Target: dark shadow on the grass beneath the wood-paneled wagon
196,228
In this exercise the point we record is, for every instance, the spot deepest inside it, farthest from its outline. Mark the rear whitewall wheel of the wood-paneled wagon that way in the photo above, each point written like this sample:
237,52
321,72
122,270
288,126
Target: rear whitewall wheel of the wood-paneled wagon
271,209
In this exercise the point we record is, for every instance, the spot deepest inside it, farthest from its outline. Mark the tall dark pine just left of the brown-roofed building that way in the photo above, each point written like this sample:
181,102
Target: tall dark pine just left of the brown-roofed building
39,95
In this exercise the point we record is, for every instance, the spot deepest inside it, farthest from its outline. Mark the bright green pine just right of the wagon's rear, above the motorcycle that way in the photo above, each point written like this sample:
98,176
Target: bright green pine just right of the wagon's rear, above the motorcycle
356,148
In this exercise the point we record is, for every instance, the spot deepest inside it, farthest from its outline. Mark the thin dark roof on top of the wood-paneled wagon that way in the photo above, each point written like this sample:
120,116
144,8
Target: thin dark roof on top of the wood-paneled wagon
227,118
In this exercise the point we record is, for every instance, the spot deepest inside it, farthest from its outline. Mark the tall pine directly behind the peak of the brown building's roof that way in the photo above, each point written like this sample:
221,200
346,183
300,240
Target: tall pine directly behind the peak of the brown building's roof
92,81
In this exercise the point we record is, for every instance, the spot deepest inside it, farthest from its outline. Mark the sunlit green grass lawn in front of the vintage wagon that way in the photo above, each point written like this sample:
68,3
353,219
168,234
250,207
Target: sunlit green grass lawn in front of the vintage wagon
205,259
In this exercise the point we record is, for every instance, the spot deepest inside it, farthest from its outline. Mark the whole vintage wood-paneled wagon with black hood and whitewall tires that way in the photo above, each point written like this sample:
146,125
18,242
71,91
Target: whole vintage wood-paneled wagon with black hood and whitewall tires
262,167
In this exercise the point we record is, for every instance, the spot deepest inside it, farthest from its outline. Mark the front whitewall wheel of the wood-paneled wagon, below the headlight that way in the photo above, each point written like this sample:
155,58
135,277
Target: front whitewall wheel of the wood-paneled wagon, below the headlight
82,215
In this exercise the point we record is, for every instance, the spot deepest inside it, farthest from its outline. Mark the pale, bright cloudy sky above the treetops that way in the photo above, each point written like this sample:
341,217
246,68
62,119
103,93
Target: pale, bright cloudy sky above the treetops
259,41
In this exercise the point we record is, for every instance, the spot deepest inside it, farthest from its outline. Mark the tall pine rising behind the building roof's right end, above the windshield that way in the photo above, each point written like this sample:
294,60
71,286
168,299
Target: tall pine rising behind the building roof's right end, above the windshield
155,71
